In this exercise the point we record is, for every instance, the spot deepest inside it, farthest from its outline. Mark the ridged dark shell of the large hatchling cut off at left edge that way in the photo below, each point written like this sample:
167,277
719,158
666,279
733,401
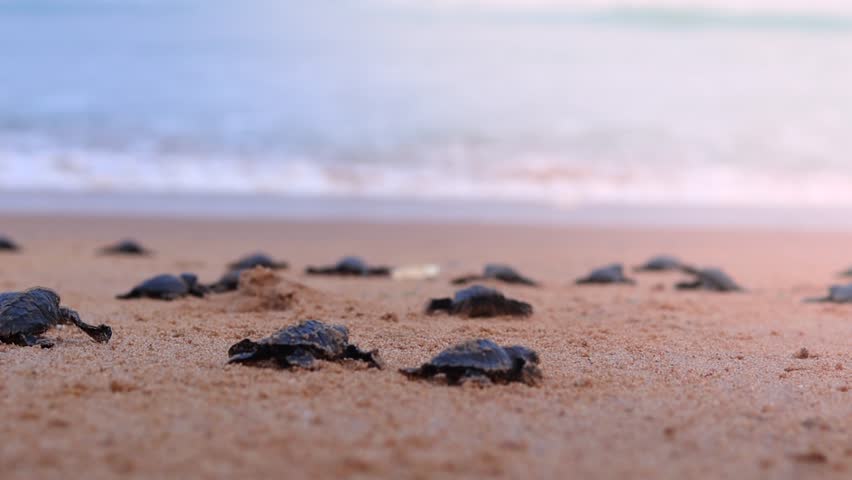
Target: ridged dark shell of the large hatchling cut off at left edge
32,312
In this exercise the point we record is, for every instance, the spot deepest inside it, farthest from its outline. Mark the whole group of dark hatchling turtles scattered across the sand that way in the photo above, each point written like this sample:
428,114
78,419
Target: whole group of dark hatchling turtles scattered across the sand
26,316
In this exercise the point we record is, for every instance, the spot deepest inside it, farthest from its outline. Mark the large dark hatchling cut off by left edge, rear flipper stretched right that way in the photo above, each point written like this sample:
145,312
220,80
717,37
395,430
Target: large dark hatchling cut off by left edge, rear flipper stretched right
24,316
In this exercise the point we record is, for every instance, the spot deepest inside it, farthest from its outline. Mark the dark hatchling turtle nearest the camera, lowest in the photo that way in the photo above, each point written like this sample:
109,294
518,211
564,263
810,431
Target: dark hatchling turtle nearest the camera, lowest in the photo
483,361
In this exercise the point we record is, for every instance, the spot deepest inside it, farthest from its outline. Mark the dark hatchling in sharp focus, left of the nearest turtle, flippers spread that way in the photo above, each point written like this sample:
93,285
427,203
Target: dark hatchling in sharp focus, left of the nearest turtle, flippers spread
300,345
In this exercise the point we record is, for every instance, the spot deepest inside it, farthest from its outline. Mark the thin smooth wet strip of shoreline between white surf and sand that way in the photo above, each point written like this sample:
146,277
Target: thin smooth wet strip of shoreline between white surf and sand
227,207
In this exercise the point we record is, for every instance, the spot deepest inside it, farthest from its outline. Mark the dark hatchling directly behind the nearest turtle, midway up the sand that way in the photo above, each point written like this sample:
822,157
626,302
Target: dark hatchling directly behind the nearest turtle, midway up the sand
479,301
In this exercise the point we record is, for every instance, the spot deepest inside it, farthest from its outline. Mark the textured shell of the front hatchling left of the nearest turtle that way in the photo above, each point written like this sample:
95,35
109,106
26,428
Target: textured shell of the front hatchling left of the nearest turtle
329,340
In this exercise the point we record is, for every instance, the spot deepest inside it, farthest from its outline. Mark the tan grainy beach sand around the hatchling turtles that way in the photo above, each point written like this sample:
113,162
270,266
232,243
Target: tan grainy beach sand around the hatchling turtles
640,381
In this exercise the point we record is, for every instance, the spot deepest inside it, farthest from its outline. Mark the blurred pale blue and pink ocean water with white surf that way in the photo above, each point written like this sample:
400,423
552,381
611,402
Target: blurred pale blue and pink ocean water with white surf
561,104
